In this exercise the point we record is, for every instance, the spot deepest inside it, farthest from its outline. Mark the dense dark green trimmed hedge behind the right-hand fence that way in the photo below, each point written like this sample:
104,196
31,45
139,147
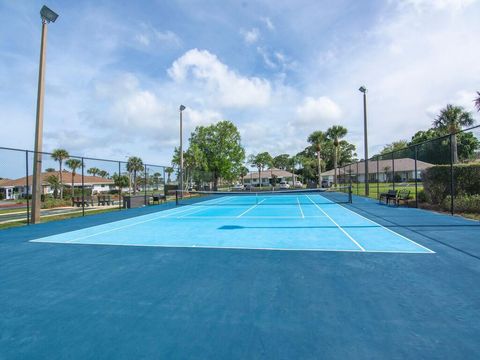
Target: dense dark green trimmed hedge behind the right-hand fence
436,181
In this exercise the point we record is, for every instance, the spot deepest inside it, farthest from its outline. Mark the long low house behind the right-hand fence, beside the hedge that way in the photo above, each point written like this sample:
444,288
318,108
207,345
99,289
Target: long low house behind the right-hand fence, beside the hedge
379,171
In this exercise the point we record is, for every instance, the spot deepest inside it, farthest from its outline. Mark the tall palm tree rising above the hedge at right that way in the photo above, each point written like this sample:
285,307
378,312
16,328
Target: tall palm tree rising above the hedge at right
451,120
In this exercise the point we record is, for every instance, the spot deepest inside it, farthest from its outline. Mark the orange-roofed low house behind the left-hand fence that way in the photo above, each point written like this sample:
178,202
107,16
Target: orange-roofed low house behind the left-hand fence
13,189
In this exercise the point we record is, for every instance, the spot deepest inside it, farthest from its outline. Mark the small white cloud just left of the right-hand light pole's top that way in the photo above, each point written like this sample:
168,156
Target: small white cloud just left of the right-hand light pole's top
321,111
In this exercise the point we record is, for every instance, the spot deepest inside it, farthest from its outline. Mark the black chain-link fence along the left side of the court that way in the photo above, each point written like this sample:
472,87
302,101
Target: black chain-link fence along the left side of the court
72,186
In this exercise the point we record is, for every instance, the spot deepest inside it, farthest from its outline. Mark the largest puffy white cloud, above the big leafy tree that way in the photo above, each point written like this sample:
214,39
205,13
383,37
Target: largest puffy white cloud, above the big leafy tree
226,87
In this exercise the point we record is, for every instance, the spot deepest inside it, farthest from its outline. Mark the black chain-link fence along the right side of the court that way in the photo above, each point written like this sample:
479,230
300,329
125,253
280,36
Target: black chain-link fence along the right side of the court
441,174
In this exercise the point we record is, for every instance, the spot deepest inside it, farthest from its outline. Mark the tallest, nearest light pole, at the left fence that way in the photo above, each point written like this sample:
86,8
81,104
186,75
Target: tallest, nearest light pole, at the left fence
47,16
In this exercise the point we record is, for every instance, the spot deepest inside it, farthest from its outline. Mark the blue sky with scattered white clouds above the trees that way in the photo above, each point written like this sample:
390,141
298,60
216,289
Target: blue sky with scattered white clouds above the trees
117,71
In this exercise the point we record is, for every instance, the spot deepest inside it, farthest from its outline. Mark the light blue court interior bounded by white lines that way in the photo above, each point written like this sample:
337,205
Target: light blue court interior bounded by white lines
296,222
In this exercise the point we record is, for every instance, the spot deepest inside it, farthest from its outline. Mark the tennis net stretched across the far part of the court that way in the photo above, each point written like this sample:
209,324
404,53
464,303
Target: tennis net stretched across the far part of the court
283,197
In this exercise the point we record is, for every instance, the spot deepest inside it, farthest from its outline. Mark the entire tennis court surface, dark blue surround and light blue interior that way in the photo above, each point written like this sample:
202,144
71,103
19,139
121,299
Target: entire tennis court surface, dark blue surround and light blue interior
216,277
